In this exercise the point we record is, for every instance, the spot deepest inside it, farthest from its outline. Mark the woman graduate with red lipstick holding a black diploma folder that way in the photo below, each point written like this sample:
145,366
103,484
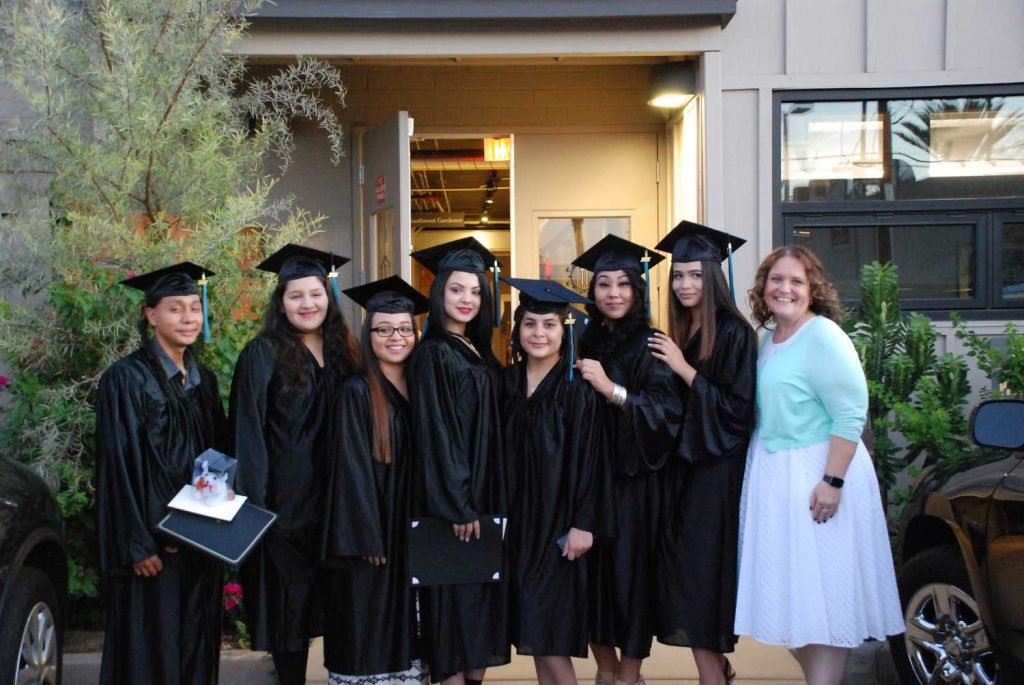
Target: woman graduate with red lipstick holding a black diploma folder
454,394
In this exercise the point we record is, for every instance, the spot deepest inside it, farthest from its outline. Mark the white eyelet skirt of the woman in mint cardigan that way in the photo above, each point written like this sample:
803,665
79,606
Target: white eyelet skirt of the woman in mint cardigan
804,583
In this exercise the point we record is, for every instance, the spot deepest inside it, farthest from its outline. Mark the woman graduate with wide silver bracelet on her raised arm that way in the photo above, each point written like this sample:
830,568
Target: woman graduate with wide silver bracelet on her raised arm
642,422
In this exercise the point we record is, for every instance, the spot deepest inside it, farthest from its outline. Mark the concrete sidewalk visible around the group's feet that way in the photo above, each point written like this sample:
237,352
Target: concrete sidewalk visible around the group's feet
755,664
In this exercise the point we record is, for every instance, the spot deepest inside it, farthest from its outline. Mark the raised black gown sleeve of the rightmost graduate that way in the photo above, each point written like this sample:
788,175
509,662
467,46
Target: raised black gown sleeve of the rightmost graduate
720,402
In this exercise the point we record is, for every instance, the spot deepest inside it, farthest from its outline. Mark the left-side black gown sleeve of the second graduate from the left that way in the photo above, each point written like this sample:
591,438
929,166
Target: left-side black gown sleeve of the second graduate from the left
250,388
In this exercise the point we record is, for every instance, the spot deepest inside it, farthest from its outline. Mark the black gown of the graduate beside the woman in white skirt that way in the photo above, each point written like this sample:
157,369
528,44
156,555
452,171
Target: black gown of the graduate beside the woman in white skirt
698,561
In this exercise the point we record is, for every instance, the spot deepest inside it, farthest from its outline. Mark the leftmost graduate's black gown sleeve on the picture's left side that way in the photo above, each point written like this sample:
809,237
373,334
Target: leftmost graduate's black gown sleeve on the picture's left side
125,536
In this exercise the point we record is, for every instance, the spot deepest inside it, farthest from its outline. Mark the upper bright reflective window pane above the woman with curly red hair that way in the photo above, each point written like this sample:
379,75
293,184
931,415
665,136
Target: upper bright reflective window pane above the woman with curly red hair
922,149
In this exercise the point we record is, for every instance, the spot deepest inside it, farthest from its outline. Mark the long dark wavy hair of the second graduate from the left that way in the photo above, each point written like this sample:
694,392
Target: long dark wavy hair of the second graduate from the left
342,352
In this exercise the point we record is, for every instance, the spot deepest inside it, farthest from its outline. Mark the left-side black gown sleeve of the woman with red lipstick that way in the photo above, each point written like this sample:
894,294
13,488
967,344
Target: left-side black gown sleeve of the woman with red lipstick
438,411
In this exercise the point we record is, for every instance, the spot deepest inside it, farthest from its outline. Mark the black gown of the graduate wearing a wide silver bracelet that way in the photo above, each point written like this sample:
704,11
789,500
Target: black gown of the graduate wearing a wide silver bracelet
642,438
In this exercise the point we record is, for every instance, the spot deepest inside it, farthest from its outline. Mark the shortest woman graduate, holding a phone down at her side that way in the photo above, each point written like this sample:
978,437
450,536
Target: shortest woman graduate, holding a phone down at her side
557,469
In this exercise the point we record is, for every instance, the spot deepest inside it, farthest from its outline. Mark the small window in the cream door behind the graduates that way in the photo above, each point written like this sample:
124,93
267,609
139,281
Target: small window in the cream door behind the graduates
565,239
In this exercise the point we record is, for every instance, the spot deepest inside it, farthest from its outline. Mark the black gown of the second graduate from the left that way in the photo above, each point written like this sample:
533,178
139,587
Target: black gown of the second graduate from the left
281,468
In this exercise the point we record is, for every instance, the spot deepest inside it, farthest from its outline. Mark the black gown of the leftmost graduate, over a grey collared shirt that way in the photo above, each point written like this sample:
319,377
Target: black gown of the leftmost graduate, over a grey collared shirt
163,630
